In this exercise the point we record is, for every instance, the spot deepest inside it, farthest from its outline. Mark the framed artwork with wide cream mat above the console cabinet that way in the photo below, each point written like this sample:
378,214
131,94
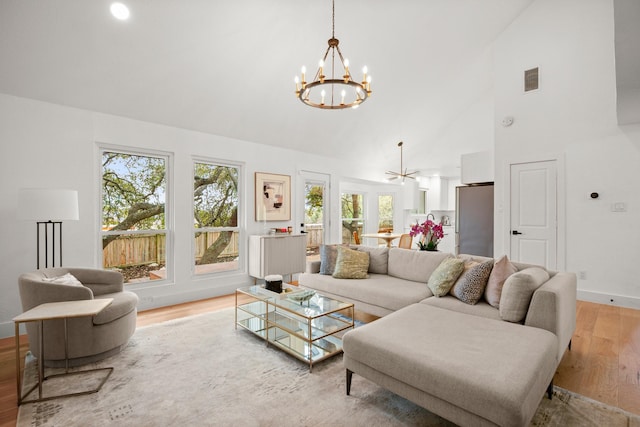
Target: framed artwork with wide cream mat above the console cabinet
273,197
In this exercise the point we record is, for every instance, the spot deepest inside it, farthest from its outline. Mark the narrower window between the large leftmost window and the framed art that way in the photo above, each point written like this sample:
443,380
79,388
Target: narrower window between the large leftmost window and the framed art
215,212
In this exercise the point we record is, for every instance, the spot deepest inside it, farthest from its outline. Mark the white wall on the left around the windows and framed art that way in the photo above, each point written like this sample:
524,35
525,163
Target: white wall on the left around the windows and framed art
51,146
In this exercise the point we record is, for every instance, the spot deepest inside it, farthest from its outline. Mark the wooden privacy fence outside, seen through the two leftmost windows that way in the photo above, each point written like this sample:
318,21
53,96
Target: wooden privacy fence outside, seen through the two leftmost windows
143,249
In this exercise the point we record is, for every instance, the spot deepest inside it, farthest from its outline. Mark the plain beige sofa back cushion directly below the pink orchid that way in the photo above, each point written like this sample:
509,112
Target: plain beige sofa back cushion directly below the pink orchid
416,266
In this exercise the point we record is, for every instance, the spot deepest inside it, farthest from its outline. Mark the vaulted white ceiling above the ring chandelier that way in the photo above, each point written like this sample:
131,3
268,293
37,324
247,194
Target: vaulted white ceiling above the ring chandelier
227,68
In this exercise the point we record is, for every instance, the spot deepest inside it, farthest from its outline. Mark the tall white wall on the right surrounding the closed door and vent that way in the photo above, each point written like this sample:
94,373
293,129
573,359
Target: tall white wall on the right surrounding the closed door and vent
572,118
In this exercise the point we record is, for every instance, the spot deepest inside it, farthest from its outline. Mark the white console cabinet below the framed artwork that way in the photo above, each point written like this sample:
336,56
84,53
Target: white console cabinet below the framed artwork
277,254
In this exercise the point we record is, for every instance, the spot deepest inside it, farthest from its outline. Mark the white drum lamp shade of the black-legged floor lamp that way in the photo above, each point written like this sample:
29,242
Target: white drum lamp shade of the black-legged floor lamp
44,204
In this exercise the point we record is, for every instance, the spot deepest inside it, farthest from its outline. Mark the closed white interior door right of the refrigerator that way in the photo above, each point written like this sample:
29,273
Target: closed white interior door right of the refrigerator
534,213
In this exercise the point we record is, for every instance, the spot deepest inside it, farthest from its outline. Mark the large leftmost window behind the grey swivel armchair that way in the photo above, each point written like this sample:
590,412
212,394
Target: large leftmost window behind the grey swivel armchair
134,217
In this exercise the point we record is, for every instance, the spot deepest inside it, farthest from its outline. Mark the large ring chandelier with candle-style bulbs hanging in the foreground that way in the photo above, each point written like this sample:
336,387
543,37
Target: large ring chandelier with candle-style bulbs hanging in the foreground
333,93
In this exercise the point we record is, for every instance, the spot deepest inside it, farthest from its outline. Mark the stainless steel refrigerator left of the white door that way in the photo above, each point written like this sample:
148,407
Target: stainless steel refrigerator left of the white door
474,220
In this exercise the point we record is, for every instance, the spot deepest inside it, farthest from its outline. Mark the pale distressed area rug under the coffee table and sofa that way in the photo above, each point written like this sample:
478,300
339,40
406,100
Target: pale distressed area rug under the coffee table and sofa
201,371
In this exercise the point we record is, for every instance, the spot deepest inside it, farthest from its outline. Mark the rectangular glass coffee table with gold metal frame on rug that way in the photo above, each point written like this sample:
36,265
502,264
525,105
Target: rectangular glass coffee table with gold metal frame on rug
305,324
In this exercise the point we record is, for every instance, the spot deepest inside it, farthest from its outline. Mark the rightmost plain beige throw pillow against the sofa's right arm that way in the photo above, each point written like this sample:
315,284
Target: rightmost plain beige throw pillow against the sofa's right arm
517,292
